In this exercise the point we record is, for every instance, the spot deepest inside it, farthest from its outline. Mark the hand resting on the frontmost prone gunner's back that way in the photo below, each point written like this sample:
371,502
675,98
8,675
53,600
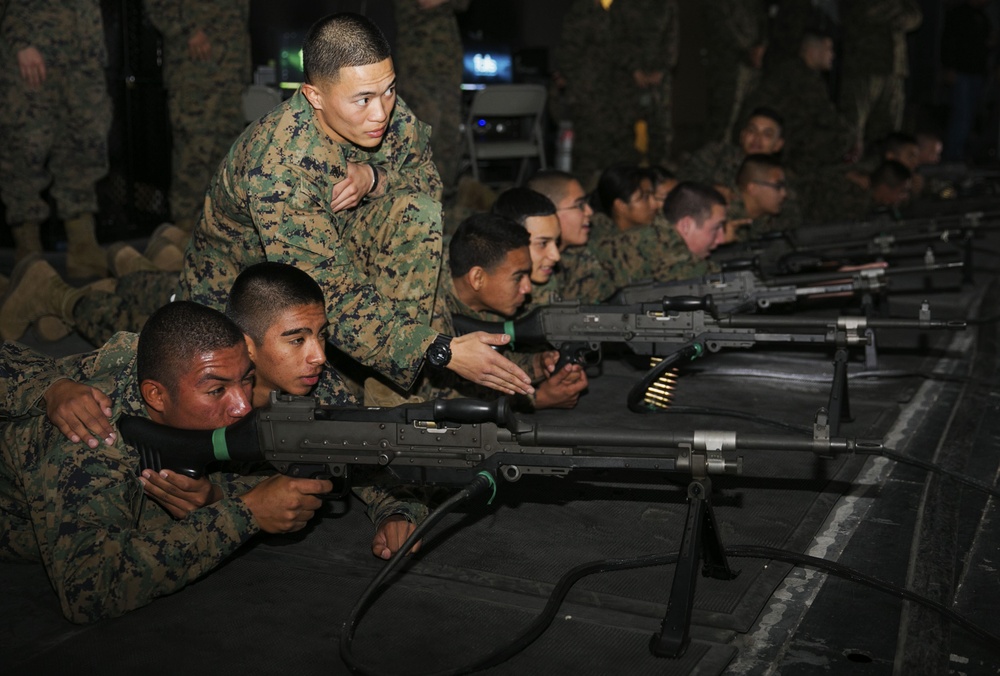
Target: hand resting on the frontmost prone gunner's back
80,412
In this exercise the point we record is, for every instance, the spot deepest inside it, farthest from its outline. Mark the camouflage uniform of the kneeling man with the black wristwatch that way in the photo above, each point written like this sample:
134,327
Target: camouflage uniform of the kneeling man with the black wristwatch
378,263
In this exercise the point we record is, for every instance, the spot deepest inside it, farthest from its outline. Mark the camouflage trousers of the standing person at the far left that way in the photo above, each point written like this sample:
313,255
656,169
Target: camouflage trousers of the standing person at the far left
53,137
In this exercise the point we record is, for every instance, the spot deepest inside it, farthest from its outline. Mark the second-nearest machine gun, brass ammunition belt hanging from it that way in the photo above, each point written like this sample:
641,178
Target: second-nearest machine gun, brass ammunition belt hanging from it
686,328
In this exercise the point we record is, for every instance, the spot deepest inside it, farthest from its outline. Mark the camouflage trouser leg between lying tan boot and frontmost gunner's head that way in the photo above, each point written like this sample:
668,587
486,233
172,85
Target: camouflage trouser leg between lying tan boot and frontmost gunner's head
99,314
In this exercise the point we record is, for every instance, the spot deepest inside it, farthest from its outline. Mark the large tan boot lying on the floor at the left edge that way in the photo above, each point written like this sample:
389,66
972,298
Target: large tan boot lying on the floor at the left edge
35,290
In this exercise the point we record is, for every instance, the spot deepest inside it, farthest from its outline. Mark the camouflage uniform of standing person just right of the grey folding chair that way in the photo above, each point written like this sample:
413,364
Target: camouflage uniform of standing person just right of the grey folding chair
591,99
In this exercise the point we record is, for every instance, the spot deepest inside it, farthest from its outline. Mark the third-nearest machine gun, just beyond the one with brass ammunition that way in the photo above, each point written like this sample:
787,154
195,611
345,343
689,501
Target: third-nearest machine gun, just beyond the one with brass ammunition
743,291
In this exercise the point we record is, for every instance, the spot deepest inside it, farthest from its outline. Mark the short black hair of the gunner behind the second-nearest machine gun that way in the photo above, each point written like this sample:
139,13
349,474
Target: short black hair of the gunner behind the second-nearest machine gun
484,240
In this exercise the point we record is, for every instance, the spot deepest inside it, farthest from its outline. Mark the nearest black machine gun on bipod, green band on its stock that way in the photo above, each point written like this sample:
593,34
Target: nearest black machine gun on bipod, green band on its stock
454,440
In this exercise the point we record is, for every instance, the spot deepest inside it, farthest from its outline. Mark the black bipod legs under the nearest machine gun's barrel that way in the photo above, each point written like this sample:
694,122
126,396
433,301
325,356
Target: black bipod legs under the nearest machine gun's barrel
700,540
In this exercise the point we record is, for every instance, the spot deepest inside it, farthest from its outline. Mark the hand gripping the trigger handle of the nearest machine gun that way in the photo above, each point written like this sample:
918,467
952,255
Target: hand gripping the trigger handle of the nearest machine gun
281,504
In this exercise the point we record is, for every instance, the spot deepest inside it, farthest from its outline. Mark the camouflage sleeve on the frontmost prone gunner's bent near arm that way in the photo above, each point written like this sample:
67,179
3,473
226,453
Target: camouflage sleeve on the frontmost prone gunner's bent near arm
107,549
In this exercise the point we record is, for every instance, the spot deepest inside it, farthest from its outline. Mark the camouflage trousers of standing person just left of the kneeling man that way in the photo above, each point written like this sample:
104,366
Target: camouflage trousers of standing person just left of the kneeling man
206,115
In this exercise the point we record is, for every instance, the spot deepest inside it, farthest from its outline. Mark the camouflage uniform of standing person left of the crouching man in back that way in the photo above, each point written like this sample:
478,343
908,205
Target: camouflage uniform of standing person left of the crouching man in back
735,27
